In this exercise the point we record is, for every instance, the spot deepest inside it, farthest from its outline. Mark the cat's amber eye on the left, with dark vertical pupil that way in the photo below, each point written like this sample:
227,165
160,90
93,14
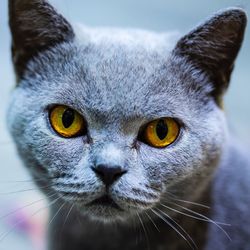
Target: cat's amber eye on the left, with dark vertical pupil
67,122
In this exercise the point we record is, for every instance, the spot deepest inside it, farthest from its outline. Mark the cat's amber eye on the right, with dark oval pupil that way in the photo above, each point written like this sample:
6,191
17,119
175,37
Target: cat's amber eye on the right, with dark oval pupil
161,132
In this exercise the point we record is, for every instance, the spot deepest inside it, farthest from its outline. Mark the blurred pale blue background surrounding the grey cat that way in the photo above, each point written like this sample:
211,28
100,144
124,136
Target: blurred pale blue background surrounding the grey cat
23,229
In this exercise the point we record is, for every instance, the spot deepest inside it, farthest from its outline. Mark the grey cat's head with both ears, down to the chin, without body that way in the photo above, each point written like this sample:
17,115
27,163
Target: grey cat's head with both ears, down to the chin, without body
116,121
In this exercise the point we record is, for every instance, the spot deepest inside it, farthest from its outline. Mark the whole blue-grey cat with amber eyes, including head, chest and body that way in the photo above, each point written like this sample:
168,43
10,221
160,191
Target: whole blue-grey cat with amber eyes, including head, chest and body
124,132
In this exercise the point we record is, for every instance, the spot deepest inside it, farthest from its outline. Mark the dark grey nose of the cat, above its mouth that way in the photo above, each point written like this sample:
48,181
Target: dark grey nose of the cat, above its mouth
108,174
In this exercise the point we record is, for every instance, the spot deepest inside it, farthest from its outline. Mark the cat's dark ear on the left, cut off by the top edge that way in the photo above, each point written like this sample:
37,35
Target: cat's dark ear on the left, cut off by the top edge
35,26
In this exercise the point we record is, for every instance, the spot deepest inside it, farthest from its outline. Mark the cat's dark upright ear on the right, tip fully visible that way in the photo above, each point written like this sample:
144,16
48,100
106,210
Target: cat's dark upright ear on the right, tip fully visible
214,45
